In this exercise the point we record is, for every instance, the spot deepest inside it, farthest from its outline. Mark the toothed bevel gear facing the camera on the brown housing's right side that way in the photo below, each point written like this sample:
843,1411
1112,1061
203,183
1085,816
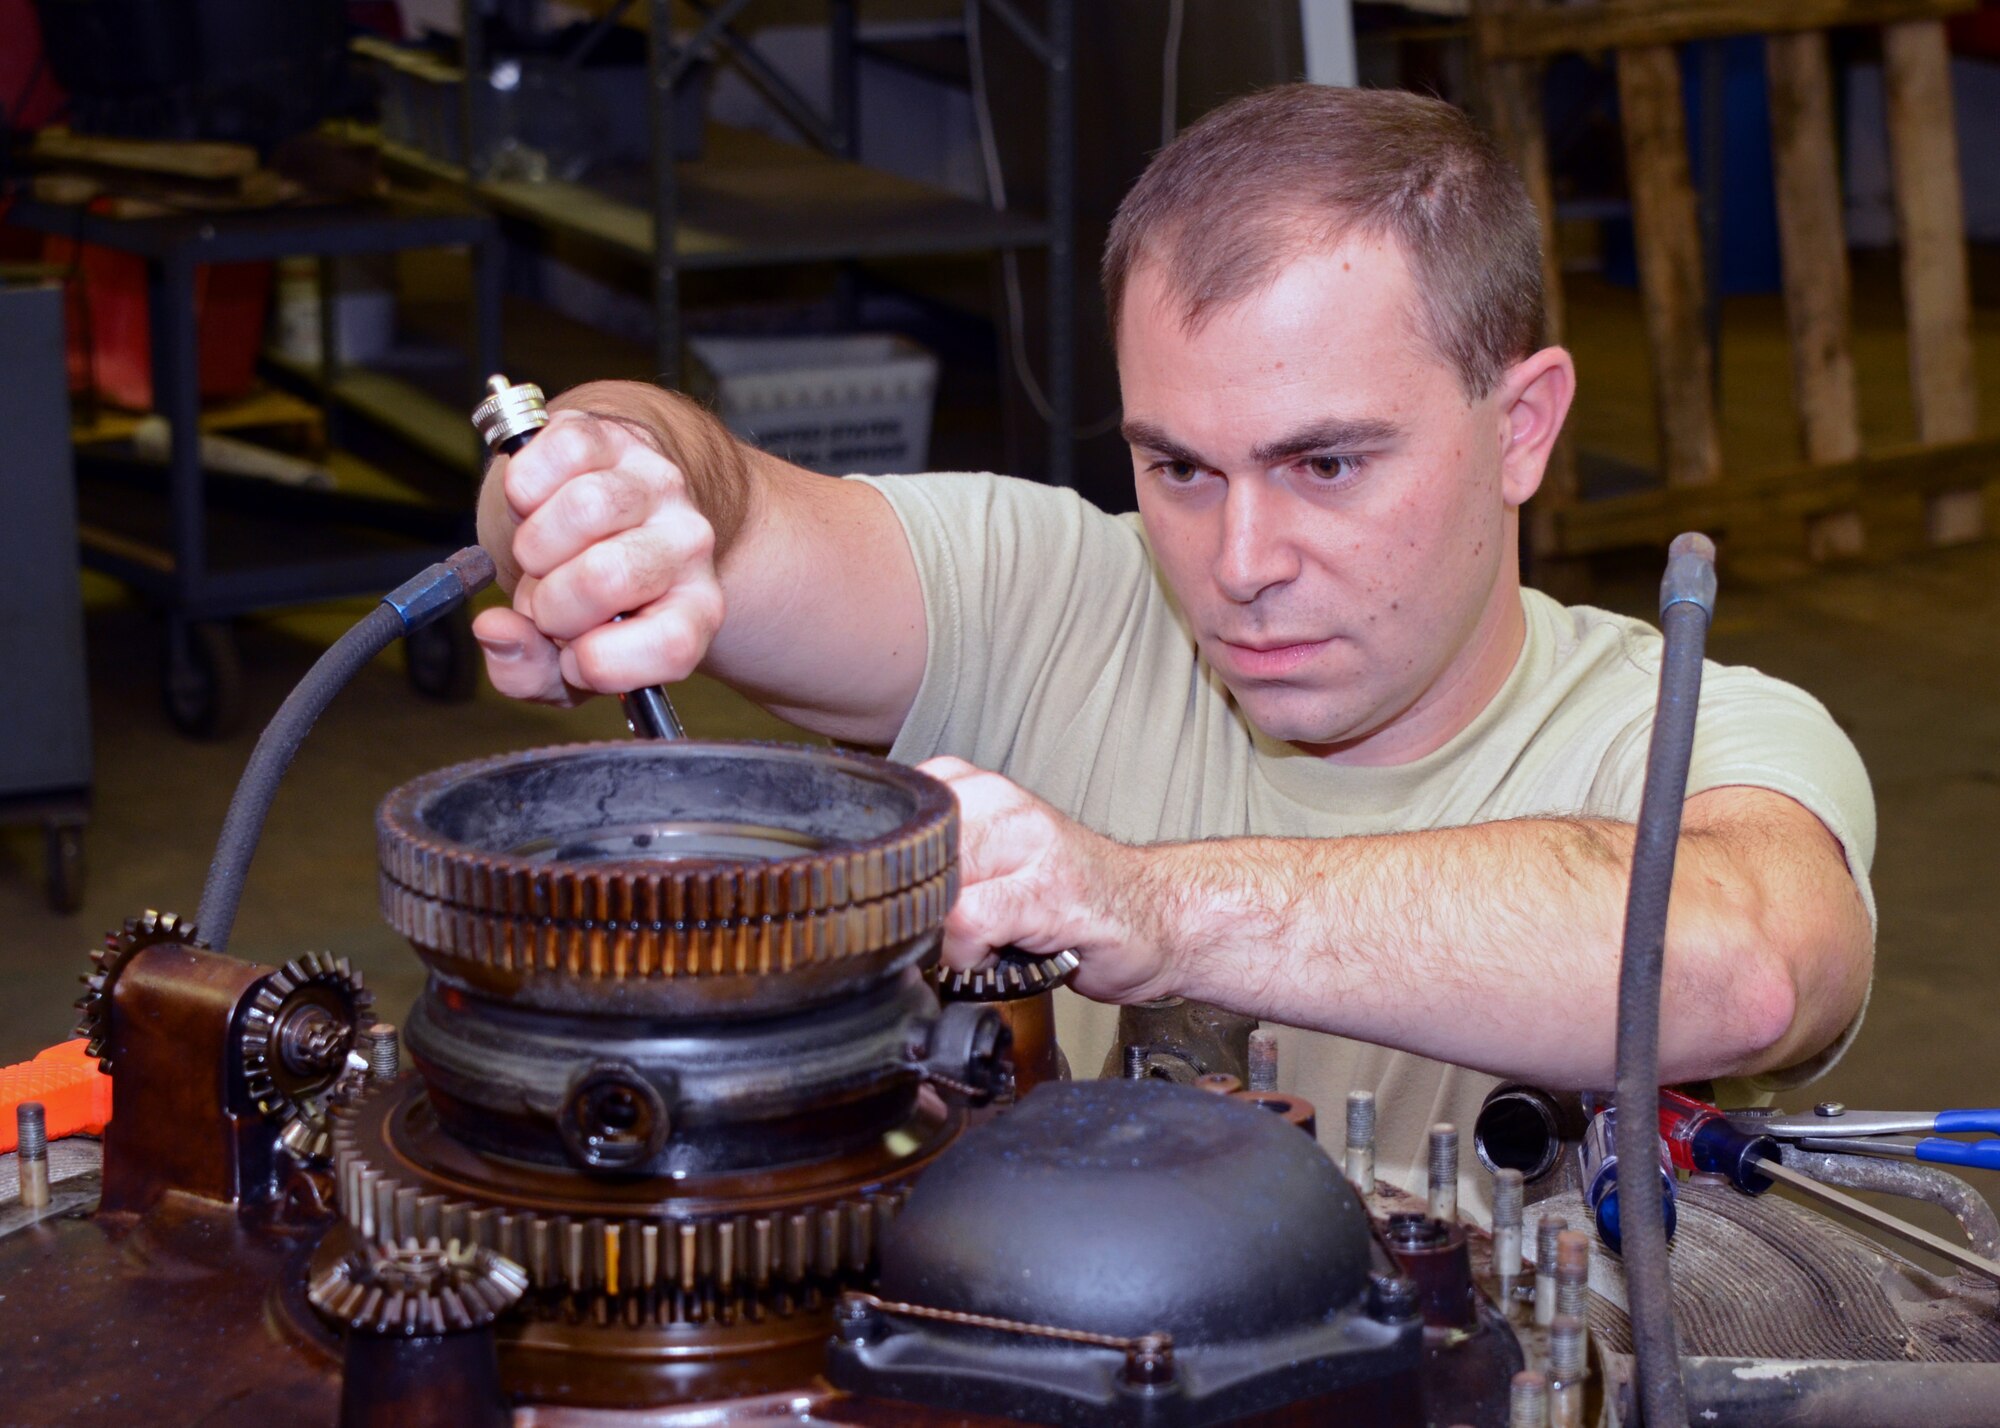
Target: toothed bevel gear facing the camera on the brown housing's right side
297,1043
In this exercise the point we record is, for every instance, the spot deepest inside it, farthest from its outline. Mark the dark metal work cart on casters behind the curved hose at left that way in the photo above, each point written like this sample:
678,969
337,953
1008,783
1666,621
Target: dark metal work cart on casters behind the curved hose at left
345,543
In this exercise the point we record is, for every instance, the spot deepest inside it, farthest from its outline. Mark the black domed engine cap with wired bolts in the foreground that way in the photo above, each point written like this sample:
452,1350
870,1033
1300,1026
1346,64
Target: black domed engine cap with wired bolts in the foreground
1131,1211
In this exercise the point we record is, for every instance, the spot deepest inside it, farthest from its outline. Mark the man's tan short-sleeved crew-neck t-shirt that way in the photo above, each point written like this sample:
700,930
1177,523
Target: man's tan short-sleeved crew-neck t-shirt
1059,659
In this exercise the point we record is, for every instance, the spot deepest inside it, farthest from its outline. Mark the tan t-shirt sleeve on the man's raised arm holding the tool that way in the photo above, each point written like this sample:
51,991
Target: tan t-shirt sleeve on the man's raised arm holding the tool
1029,593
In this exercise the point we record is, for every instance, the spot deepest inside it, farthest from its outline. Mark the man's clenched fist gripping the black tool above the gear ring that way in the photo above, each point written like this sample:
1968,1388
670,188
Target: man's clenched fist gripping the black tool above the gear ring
605,531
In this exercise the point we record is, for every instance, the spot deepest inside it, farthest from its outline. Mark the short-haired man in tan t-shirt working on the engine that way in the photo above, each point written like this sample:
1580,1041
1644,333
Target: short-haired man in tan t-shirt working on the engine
1293,741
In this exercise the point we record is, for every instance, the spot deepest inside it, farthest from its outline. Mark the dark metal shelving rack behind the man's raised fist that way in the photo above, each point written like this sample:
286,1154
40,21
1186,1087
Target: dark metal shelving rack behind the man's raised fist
755,201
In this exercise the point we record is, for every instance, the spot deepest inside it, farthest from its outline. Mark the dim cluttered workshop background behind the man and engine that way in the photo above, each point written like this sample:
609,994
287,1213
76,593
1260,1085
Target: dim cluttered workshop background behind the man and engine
261,259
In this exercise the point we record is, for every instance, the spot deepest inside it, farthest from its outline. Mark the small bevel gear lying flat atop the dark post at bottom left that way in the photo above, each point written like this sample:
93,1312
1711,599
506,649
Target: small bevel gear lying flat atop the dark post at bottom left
413,1289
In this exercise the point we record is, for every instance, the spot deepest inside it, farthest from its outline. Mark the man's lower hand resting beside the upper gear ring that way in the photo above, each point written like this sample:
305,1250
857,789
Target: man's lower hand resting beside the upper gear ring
1043,883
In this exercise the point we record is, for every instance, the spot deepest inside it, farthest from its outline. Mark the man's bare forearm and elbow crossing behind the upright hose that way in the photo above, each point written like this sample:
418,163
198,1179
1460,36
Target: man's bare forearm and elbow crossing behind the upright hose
1497,945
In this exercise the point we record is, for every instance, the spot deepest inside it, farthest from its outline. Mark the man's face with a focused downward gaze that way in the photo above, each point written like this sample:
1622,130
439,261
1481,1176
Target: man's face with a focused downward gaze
1321,495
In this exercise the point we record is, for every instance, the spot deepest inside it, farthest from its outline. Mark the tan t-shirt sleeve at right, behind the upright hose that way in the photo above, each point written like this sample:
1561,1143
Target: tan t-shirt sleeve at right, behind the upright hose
1761,733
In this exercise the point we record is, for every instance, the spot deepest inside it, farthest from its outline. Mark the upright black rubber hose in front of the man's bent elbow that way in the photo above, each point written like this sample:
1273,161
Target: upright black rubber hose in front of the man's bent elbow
1687,603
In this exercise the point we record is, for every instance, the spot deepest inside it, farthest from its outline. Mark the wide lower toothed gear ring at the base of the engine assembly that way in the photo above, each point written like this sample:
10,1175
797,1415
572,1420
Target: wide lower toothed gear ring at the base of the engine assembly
645,1249
